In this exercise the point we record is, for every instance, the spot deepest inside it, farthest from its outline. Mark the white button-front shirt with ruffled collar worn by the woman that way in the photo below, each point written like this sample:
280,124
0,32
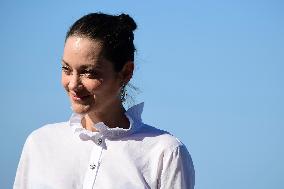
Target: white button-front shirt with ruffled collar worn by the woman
67,156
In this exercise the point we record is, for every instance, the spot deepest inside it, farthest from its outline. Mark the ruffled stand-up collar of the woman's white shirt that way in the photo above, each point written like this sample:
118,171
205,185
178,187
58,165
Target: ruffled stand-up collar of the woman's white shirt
133,114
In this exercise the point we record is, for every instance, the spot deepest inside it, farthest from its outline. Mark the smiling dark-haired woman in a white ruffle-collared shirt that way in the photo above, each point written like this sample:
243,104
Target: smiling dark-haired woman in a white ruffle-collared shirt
102,145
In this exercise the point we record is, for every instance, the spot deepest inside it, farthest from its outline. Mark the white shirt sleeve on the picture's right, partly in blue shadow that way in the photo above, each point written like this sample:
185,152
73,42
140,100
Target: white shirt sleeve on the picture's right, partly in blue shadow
177,169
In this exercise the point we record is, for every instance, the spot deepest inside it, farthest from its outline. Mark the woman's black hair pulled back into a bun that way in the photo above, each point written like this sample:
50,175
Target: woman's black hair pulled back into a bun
114,32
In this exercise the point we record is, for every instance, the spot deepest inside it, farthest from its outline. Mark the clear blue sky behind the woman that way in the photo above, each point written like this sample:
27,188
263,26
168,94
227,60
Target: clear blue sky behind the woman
210,72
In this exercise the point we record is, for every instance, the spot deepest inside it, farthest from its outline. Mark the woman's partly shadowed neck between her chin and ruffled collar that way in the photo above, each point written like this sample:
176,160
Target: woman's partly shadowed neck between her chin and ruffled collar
112,117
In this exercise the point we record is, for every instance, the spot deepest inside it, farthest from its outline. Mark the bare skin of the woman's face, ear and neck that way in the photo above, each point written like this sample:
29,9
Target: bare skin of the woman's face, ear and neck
92,84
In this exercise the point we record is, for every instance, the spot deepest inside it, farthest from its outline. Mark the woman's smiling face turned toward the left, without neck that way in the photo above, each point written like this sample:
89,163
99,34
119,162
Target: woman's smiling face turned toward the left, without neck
89,79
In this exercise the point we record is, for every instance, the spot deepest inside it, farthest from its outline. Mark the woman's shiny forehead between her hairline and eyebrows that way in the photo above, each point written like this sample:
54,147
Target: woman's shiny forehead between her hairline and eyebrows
80,51
